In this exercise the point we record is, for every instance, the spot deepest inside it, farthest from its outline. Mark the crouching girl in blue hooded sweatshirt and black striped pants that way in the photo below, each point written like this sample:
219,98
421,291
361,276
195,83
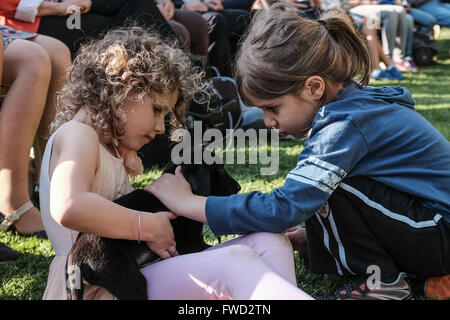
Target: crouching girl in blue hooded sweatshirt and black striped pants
372,183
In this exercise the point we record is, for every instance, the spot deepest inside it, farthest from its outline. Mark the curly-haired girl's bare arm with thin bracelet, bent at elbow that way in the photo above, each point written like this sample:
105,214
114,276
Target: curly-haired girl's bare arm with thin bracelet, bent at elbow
72,204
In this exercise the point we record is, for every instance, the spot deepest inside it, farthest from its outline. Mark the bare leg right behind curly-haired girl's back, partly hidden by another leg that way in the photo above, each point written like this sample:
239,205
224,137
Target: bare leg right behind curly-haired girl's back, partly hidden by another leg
60,60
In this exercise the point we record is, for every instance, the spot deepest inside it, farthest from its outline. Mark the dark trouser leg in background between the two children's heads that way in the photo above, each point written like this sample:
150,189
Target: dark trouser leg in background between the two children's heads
226,28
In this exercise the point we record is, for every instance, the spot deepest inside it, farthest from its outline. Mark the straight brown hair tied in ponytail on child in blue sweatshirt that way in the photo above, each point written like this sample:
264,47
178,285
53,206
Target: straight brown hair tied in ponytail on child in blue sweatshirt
283,49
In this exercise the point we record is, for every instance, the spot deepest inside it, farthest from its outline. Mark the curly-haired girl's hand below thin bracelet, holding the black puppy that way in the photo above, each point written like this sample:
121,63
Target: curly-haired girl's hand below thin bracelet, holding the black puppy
157,228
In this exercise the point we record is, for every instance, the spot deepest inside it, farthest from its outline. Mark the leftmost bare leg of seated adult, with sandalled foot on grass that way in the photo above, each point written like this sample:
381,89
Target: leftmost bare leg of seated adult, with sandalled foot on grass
26,69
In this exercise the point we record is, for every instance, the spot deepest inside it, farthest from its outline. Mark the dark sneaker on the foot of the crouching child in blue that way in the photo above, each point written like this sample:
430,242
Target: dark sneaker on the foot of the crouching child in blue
358,290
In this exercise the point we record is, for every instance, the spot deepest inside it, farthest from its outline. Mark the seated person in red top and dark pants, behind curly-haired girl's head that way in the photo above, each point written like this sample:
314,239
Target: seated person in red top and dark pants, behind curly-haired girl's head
51,18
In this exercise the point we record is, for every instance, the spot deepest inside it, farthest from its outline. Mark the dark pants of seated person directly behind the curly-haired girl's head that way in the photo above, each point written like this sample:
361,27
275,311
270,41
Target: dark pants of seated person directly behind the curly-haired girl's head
104,15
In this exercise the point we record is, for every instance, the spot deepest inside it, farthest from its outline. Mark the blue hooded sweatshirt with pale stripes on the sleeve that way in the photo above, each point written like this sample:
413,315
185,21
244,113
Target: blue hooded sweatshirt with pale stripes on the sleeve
367,131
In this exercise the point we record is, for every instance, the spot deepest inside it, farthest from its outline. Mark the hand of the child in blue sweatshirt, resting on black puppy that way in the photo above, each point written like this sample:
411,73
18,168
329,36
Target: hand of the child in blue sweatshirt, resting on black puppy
176,194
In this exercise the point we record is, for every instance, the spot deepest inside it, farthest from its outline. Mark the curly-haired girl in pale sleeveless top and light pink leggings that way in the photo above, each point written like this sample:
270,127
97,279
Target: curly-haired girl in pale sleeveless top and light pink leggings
119,90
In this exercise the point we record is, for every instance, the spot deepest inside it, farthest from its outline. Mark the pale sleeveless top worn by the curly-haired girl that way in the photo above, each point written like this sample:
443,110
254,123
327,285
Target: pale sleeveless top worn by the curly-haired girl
110,181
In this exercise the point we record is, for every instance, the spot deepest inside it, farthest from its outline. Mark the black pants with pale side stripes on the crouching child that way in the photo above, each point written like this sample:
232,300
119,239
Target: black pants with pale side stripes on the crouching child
366,223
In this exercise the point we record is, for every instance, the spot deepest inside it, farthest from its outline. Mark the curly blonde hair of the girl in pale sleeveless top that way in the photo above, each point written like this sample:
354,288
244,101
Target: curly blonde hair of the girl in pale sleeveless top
127,63
